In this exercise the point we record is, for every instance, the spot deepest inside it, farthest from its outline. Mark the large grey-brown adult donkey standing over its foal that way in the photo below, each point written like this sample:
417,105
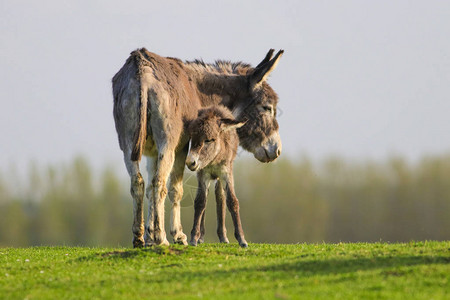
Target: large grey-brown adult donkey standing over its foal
155,97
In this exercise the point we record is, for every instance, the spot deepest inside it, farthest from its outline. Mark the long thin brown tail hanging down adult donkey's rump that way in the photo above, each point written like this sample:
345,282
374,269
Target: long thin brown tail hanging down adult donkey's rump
141,132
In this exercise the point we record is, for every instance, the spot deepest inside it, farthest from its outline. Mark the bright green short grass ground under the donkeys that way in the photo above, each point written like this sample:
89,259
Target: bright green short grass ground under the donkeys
416,270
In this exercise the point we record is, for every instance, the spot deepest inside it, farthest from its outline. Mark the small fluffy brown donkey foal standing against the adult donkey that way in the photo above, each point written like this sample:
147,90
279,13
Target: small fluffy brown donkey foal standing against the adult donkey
214,144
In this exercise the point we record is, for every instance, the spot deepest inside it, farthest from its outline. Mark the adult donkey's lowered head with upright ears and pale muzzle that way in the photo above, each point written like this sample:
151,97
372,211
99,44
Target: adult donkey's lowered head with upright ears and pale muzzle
260,134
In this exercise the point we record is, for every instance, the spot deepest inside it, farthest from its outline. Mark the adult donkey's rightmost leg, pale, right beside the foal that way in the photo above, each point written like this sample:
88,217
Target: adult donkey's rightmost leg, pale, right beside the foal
175,195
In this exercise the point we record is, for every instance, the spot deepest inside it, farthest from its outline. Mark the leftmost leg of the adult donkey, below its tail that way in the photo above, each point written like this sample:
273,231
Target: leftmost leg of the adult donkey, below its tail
137,192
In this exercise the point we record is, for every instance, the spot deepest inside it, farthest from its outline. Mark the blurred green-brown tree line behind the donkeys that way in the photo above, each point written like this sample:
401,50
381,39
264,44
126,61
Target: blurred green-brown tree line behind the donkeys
288,201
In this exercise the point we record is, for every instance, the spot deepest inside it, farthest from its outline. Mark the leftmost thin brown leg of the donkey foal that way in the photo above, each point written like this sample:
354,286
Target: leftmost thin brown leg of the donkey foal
199,207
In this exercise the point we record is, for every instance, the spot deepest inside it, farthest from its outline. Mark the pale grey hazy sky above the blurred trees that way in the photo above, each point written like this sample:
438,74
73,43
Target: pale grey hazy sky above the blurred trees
362,79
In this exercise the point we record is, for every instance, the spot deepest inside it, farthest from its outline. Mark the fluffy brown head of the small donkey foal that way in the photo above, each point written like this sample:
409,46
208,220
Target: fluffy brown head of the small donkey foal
208,135
